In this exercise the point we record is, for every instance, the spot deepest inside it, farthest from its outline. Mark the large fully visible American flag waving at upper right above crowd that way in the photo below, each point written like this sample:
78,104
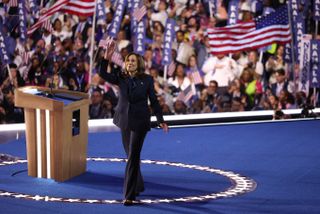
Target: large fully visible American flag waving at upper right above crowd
268,29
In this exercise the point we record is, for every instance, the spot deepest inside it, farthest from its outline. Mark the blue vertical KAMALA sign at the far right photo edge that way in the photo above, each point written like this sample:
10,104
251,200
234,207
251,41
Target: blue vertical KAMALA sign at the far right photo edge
315,64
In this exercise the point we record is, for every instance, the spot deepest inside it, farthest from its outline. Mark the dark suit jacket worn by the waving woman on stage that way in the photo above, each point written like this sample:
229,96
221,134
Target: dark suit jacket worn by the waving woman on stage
132,110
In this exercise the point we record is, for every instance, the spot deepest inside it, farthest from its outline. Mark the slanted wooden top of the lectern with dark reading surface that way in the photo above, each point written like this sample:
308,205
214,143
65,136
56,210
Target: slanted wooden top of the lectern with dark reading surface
44,98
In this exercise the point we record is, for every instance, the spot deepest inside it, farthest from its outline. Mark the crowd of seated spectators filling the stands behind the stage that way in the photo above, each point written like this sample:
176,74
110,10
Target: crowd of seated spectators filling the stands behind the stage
242,81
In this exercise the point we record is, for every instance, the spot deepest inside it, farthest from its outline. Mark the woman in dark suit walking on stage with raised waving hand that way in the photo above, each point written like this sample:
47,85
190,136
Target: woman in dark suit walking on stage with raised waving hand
132,114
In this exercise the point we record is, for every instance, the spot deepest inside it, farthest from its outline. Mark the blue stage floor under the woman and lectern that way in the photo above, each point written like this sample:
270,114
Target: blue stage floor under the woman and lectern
188,170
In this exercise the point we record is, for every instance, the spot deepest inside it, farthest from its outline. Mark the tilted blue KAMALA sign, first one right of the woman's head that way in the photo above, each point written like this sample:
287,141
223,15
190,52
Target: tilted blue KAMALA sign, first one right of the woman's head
169,34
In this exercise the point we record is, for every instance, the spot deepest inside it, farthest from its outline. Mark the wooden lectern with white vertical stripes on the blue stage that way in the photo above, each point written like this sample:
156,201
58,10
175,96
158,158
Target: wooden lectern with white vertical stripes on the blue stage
56,131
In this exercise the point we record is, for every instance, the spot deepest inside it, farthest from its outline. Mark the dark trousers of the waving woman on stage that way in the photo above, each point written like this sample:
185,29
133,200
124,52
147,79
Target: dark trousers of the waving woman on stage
132,143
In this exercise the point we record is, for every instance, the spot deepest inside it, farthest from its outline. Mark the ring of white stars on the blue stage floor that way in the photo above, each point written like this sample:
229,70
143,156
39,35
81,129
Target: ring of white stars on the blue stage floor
241,185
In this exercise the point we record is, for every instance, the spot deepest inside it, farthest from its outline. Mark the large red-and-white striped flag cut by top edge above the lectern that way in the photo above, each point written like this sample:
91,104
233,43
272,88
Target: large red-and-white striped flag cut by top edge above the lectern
75,7
